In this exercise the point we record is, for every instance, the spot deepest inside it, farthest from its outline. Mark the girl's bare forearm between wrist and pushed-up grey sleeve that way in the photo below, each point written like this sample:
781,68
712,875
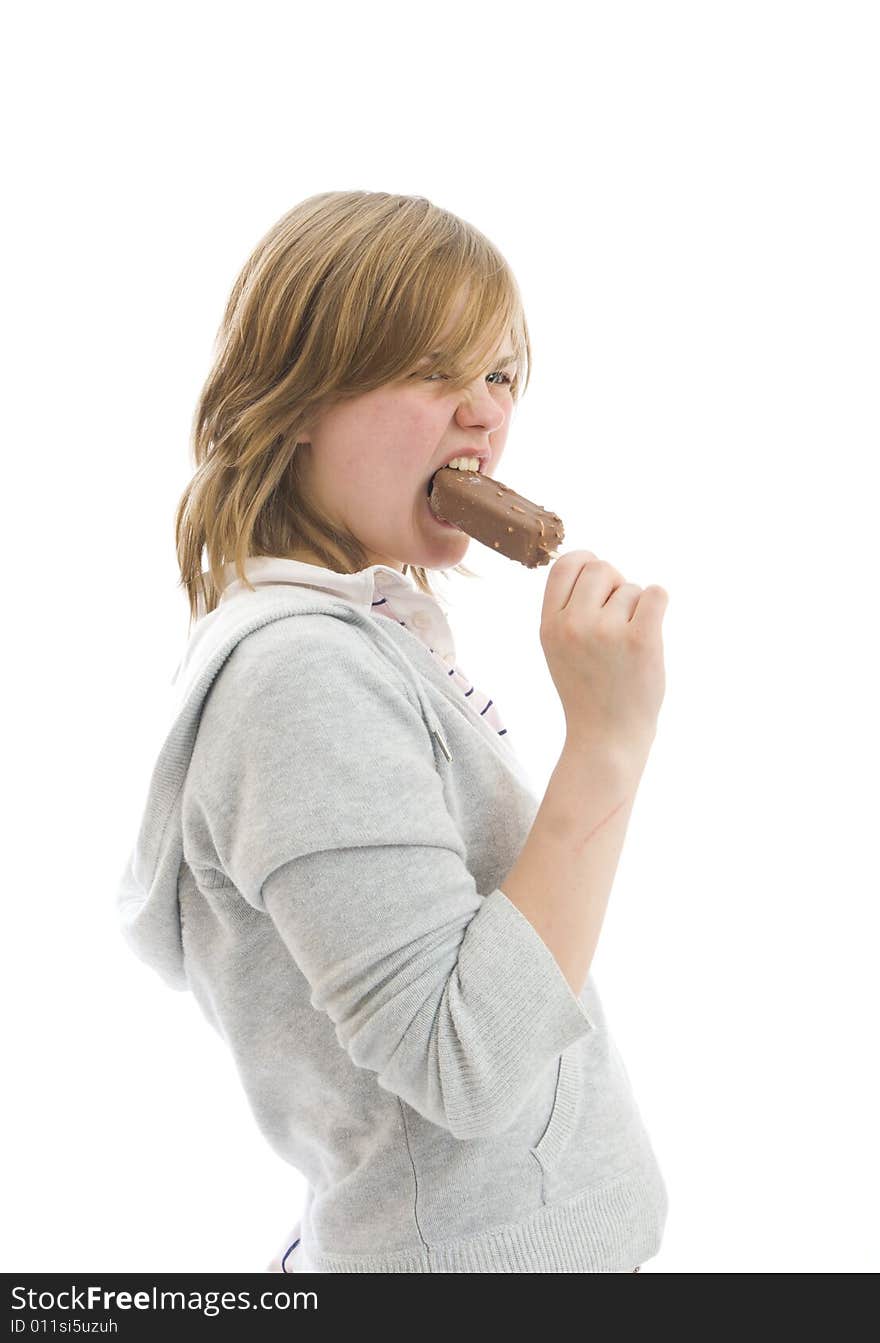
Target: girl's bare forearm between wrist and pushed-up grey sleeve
564,878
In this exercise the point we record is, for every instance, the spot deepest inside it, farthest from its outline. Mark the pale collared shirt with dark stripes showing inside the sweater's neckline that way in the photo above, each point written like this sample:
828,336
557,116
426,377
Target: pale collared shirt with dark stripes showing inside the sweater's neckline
380,590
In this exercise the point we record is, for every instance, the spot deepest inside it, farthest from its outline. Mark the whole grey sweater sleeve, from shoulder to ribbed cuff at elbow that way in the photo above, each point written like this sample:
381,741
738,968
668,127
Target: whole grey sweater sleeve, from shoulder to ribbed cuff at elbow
319,786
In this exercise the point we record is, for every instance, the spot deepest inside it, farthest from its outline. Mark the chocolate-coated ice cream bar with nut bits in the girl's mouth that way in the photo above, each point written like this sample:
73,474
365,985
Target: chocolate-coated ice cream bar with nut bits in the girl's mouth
496,516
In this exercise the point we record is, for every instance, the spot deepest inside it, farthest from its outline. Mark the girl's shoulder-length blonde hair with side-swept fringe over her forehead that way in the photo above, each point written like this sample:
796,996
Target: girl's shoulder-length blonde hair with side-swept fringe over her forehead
345,293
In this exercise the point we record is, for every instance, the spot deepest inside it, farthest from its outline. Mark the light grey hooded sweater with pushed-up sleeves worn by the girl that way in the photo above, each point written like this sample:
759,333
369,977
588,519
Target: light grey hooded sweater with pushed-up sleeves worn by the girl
322,863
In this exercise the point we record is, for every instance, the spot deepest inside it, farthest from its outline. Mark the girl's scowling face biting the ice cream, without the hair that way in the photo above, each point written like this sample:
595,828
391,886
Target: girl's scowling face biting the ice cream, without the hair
371,459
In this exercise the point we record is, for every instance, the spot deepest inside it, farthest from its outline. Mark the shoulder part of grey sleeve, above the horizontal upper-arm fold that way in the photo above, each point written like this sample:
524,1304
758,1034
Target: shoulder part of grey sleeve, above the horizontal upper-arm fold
310,741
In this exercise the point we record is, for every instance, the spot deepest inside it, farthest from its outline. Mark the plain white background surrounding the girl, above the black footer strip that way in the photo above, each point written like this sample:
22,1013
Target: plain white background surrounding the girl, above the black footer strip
689,195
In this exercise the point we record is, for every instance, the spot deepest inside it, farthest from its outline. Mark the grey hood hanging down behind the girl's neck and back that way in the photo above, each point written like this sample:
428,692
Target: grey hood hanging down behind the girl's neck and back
147,902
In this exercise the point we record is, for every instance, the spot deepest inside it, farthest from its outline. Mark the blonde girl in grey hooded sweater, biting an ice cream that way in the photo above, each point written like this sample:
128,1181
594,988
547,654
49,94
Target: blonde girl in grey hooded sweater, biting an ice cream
341,856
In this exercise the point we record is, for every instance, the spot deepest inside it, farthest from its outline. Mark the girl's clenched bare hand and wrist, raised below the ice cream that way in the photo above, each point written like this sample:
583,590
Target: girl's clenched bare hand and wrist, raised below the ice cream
603,640
